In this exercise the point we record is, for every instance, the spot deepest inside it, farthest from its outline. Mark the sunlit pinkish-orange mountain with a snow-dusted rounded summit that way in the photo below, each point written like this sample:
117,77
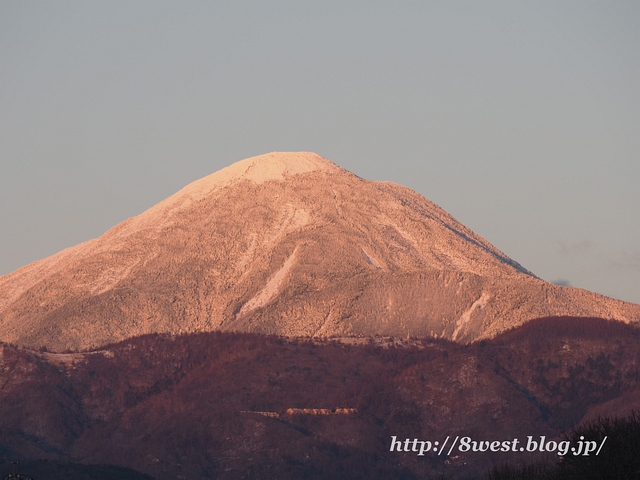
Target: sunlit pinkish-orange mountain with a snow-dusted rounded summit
287,244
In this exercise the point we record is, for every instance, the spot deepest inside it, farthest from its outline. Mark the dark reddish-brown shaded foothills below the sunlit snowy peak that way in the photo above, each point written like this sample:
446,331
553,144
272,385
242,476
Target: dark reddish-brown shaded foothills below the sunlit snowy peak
221,405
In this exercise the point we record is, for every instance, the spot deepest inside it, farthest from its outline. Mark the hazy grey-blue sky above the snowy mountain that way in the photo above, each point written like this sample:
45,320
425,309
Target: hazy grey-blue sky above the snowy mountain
521,119
